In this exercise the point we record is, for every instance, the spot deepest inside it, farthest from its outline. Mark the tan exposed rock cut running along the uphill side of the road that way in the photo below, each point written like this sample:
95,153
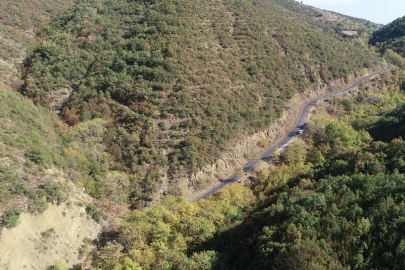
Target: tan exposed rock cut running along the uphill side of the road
244,150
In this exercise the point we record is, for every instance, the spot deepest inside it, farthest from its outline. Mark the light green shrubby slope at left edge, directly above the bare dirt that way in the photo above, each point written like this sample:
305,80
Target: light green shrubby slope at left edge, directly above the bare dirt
28,147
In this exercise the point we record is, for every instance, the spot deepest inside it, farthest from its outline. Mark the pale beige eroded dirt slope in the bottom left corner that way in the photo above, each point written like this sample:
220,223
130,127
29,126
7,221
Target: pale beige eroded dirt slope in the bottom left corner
39,240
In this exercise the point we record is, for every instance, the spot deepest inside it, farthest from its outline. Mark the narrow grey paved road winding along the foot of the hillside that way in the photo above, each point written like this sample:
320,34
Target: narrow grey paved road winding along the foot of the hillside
284,141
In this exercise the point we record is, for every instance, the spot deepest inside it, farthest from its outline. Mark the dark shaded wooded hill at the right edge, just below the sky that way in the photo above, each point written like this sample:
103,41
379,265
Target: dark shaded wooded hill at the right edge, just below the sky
391,36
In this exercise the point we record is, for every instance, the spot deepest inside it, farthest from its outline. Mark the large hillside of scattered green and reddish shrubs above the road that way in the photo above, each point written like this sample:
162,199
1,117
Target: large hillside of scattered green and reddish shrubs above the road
175,82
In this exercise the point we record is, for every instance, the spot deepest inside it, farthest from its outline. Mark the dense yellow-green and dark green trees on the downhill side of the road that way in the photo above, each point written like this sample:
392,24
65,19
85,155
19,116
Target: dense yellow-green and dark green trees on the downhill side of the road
333,200
